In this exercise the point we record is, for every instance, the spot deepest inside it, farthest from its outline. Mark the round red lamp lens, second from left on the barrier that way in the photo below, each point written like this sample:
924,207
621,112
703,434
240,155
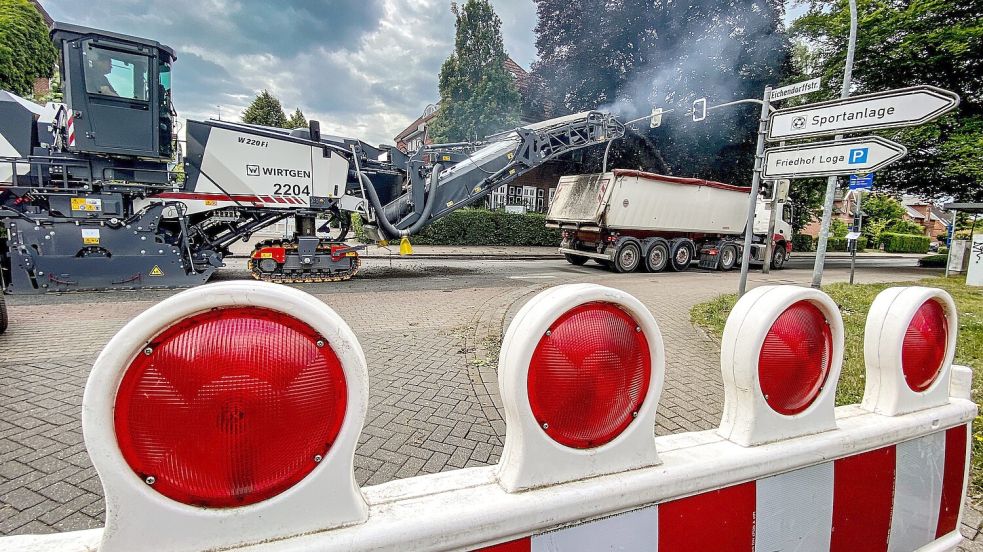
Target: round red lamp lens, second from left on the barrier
589,375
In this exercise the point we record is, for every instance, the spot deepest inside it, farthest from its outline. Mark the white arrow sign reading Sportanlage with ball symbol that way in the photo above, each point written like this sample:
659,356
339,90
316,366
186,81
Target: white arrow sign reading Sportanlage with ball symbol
893,108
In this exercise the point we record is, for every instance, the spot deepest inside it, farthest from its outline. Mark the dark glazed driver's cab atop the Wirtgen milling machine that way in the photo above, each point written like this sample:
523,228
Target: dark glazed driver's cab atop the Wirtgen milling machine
119,90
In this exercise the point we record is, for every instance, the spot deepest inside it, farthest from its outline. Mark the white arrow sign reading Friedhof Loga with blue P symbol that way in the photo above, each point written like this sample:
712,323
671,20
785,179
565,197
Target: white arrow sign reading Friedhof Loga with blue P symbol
857,155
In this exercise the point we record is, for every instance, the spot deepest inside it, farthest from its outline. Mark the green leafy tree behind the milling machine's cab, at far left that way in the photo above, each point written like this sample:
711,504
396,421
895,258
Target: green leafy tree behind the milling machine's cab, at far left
26,52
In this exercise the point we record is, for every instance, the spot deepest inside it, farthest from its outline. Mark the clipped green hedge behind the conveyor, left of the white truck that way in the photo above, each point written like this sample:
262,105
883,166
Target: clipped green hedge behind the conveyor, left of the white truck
484,227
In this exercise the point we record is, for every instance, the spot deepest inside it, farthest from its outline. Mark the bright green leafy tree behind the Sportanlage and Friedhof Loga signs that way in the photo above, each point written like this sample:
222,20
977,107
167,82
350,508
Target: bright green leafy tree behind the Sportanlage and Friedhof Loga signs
902,43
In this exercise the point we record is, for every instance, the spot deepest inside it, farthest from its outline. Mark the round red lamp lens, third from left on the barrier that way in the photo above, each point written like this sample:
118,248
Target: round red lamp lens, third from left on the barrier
795,358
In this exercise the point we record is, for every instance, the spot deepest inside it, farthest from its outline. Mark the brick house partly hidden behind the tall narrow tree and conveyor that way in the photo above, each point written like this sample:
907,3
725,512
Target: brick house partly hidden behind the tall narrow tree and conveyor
534,190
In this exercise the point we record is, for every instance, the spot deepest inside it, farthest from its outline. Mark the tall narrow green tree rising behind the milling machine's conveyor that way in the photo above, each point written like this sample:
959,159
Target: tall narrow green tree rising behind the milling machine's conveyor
478,96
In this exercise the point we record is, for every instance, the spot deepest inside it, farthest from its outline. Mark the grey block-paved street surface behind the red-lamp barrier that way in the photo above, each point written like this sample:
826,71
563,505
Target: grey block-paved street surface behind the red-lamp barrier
430,329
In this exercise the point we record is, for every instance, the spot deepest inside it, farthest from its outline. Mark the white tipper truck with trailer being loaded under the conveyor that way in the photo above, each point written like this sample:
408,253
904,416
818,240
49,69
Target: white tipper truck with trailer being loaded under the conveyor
628,219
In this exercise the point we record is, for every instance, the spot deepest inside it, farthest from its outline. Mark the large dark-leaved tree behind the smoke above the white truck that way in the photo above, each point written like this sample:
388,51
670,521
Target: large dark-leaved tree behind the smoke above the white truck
629,55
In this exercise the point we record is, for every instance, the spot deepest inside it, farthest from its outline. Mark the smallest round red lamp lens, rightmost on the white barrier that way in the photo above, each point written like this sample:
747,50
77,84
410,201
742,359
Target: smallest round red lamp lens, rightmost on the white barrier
925,345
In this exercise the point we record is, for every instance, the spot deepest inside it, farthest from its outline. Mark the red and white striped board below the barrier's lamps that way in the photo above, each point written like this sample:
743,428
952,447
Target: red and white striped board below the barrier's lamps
899,497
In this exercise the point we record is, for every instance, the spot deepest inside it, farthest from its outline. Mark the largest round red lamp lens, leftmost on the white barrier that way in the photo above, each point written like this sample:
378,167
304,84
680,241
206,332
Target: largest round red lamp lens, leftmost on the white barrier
230,407
